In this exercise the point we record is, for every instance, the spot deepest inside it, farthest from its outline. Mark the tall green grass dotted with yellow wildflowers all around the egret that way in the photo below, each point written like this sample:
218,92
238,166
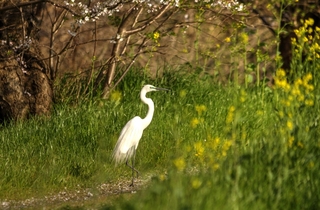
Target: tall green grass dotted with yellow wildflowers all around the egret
207,147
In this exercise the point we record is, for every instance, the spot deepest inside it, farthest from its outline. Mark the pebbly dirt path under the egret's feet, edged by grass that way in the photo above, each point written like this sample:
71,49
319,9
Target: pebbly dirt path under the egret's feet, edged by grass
81,197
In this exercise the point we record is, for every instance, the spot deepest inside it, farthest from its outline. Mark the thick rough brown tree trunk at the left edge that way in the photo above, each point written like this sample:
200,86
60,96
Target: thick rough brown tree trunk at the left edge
25,89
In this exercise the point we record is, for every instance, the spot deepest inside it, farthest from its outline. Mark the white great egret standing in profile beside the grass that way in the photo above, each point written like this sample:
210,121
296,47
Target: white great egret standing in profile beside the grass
131,134
